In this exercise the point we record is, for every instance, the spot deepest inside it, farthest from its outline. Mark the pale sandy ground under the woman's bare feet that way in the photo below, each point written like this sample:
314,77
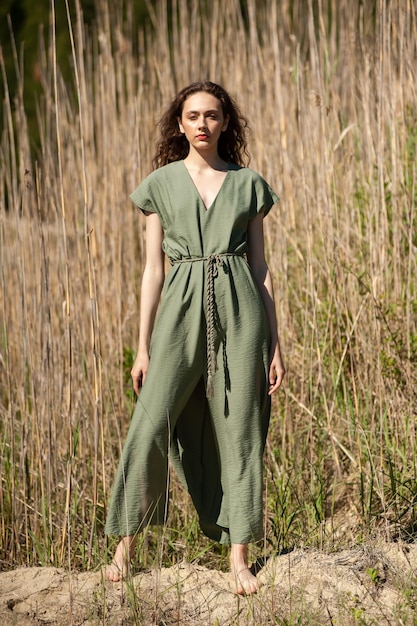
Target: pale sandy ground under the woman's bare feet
366,585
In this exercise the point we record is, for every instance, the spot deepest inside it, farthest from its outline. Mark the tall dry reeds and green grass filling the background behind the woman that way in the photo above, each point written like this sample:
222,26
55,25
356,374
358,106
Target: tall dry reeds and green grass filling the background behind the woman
329,87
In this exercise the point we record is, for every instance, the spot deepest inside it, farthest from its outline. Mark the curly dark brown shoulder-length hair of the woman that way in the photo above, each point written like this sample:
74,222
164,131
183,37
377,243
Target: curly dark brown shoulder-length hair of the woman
173,145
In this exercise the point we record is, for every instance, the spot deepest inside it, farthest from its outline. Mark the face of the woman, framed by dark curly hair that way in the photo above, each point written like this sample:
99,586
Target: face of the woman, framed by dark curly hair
202,120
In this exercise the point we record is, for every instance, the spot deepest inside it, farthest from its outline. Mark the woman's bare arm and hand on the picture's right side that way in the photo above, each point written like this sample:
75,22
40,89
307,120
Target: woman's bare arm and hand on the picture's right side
262,276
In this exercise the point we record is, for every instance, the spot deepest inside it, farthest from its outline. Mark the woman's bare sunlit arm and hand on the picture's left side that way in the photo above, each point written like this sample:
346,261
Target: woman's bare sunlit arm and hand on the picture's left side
152,281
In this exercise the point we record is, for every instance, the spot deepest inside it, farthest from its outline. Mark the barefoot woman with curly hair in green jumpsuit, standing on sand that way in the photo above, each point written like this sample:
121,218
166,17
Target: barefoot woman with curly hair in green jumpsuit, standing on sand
204,381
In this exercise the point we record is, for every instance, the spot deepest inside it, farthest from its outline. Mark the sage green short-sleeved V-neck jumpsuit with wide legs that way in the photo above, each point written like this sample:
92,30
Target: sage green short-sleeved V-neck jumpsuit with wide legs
205,405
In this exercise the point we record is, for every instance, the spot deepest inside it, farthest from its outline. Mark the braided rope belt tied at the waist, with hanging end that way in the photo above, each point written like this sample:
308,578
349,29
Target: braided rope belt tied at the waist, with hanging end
214,261
